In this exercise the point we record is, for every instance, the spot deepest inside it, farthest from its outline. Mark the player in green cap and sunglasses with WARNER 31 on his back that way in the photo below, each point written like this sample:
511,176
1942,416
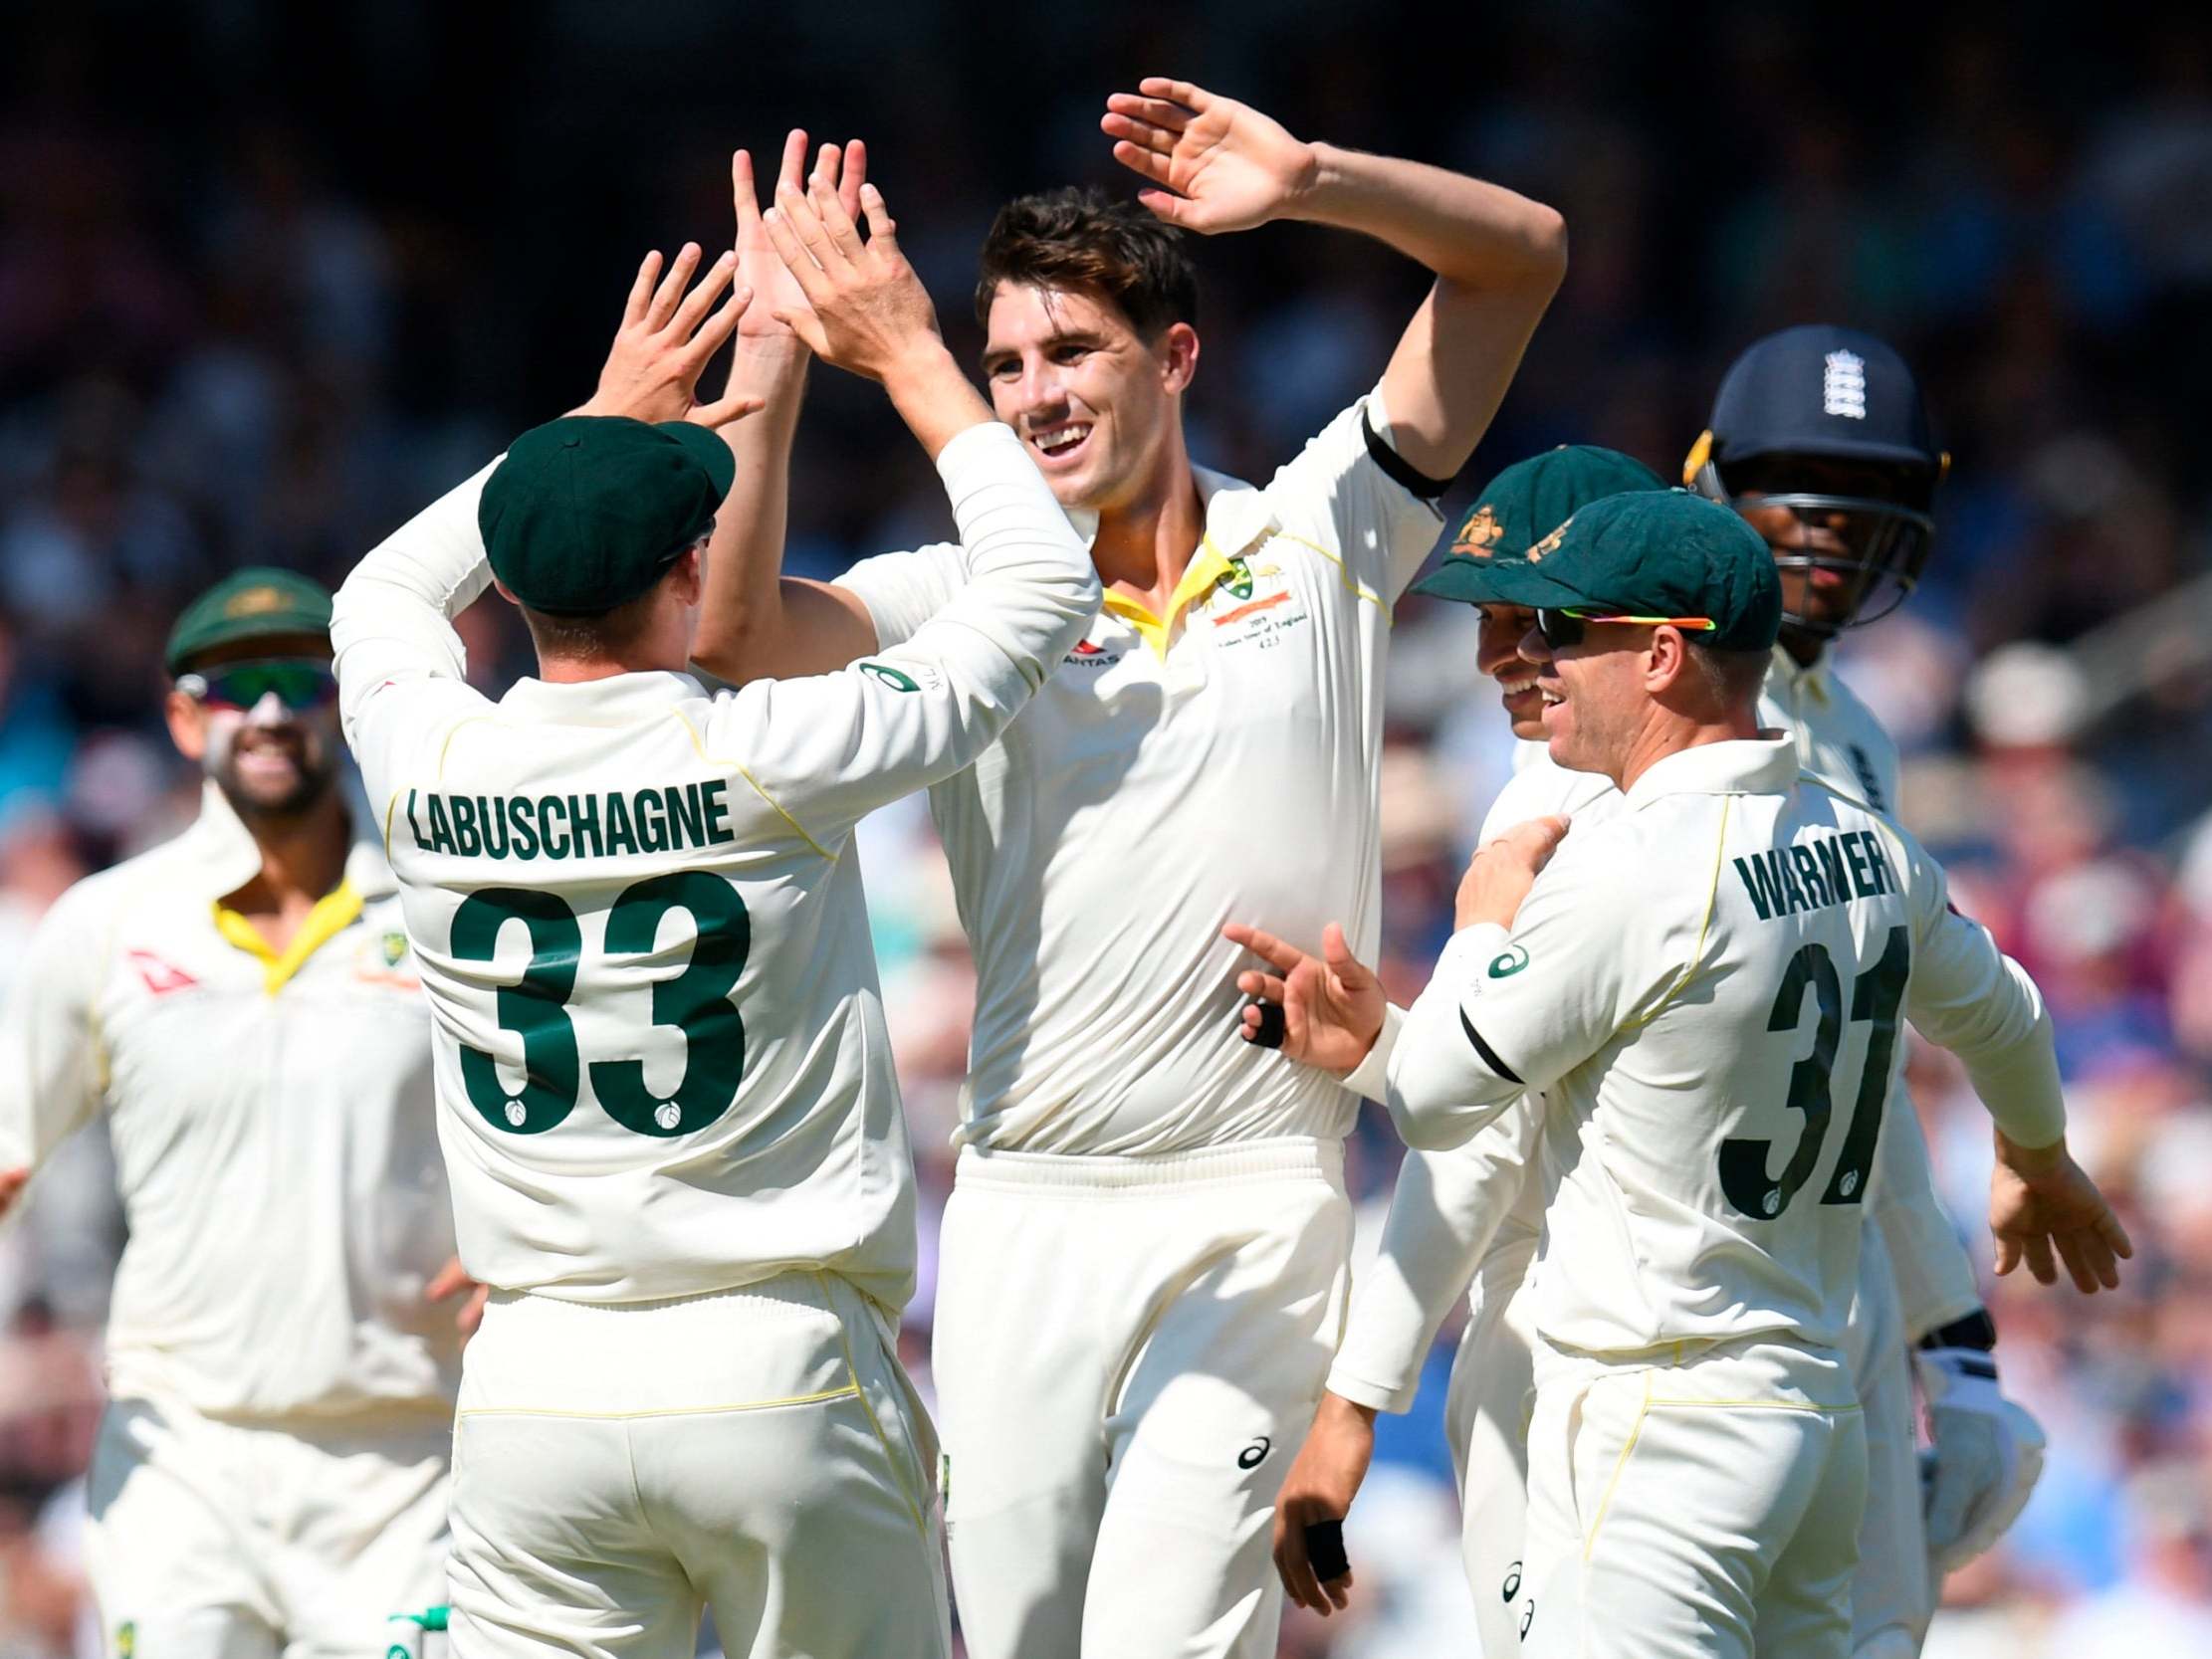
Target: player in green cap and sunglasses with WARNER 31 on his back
1676,990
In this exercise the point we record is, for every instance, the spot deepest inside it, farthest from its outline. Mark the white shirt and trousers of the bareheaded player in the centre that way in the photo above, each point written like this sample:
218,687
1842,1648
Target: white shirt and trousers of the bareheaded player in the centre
1145,1255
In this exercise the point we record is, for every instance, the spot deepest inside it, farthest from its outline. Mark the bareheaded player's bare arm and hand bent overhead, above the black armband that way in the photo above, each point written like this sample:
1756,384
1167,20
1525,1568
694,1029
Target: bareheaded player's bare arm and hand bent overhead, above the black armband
1218,165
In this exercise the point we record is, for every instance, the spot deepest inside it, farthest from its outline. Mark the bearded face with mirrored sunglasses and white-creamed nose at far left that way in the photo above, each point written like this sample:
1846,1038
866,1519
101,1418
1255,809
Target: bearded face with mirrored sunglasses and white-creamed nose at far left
271,760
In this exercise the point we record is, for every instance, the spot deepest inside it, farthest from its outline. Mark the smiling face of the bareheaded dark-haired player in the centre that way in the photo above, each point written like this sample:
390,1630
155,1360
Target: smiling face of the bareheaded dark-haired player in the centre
1092,399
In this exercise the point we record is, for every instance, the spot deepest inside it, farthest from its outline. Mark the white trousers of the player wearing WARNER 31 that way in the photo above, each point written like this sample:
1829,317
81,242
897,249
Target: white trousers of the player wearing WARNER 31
1704,1510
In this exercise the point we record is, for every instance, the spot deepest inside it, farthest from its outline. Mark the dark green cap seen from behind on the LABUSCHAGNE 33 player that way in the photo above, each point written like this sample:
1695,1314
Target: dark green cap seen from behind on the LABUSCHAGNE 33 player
587,512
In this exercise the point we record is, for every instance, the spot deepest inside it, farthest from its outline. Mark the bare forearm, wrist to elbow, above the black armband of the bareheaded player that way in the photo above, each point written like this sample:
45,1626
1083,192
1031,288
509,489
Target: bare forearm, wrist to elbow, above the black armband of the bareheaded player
1465,231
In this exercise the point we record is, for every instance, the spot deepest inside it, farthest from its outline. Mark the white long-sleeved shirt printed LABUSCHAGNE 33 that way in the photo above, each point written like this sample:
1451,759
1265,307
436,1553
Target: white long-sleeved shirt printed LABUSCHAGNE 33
660,1047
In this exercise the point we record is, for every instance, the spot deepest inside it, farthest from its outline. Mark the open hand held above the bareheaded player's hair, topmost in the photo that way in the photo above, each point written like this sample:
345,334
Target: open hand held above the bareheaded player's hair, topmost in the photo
1215,165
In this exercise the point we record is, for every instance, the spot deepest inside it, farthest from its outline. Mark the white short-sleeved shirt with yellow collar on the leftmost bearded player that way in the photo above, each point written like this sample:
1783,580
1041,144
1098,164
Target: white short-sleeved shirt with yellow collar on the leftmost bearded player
271,1123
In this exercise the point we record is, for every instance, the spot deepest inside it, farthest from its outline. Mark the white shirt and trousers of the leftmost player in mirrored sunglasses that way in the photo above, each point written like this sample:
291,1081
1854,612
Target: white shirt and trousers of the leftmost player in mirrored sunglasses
271,1474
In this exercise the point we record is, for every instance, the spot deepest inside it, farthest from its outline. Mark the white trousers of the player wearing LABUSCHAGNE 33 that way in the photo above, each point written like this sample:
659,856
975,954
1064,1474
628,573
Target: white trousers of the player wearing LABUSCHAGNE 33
760,1452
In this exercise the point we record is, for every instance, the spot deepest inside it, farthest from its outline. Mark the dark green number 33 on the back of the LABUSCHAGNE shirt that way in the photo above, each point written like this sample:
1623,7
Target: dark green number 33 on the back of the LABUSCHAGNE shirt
536,1010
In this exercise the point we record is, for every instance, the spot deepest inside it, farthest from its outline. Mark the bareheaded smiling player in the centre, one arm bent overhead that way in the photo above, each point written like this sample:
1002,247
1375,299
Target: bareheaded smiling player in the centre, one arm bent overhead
1145,1255
